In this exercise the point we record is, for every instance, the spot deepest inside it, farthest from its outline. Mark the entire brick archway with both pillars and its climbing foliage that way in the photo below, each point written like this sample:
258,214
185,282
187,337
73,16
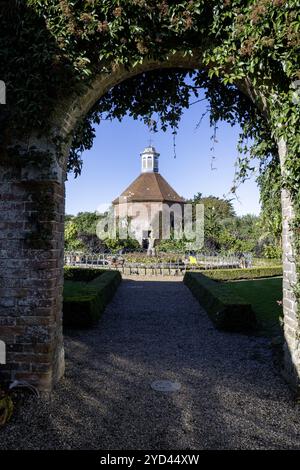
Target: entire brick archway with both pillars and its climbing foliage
68,63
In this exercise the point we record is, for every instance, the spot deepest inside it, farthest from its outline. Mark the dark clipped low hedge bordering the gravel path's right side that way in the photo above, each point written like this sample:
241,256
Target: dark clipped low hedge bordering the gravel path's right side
227,310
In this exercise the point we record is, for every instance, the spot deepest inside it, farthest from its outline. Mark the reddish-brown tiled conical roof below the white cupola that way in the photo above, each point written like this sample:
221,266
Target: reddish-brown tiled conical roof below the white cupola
150,187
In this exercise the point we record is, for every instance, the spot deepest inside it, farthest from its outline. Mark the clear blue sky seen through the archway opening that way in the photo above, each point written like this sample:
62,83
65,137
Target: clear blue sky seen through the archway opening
114,162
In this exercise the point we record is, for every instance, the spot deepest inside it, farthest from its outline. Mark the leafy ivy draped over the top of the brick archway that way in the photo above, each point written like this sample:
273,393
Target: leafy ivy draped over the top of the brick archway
249,68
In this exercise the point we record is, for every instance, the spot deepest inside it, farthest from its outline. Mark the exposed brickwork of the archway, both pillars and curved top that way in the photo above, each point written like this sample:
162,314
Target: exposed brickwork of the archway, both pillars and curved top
31,252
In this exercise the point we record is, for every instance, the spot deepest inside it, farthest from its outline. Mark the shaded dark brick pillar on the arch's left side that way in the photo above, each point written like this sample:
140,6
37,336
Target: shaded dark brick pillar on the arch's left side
31,274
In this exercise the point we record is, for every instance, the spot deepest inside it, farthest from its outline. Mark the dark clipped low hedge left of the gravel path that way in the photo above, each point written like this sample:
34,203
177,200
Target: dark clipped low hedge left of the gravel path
84,303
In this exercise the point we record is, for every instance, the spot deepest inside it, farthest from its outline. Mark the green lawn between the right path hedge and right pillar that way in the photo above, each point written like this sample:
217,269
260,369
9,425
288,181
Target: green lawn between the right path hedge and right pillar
263,295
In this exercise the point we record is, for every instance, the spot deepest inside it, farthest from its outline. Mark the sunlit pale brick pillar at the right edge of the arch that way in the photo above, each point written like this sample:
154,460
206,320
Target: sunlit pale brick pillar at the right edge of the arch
290,307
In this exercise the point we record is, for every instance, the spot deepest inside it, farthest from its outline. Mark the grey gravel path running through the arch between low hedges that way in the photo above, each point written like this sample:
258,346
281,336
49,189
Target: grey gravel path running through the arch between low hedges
230,398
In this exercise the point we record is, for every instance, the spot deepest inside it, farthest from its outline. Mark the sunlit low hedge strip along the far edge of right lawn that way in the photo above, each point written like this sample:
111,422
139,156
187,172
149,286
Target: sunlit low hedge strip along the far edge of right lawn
242,273
